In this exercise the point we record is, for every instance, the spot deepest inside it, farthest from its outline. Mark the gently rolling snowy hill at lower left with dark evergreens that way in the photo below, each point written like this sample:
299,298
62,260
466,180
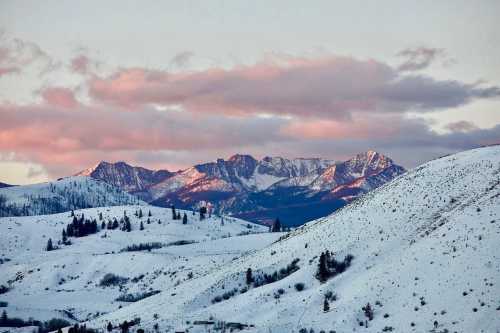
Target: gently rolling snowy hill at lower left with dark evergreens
46,284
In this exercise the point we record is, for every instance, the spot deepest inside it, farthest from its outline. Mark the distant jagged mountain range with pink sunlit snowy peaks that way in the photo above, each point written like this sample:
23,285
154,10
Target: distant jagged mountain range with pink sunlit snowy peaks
295,190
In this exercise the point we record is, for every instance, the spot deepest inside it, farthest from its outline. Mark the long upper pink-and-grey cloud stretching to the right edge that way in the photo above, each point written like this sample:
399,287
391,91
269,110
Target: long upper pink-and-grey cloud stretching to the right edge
333,88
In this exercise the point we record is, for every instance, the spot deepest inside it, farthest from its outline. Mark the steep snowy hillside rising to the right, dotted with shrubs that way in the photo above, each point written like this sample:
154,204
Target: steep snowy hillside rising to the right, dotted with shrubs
426,257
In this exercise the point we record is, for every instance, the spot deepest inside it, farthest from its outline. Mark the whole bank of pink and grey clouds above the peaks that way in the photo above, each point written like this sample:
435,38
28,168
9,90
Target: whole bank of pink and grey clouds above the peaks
331,106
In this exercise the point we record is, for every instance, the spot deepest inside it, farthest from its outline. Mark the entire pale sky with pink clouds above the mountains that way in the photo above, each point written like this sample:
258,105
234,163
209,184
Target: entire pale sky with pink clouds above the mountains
168,84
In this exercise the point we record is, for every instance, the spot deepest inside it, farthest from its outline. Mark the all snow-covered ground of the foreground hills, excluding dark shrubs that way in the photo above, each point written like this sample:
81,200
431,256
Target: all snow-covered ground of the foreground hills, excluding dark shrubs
425,246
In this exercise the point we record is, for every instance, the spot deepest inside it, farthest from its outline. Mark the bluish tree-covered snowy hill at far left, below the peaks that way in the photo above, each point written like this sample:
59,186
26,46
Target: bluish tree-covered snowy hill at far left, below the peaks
61,195
